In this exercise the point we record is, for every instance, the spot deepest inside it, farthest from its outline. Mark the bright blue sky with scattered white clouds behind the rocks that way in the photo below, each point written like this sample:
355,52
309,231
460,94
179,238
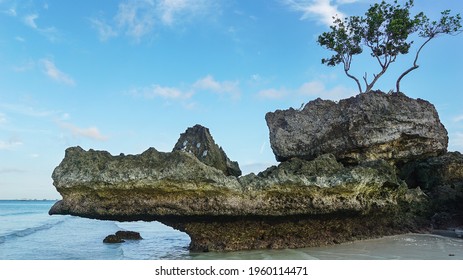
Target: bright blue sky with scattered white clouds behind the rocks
124,76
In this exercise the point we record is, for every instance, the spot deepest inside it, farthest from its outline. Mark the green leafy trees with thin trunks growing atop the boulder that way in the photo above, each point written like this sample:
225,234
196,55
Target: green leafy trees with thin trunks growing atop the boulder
384,30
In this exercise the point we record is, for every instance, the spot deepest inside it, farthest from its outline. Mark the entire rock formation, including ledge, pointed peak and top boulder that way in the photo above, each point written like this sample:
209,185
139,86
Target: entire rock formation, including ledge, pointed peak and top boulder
338,180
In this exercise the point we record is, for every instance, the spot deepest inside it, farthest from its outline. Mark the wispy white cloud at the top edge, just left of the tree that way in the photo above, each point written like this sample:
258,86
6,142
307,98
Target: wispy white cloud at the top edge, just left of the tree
321,10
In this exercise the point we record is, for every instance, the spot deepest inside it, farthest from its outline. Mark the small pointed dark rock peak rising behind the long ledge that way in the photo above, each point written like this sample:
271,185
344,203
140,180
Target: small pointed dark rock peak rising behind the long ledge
198,141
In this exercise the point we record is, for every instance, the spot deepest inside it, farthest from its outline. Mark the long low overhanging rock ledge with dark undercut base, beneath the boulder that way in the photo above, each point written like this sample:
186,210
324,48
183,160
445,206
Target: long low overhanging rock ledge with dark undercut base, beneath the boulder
297,204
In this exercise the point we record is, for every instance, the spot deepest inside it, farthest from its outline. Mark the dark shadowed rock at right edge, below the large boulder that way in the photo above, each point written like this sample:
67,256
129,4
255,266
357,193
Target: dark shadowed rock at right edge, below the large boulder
441,178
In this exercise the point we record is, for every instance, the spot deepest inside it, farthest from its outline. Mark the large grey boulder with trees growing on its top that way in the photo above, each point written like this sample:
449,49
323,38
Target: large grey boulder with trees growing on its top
369,126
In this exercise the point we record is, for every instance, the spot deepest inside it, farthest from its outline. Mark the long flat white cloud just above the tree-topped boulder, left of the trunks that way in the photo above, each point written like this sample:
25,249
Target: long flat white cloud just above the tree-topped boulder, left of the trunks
311,89
